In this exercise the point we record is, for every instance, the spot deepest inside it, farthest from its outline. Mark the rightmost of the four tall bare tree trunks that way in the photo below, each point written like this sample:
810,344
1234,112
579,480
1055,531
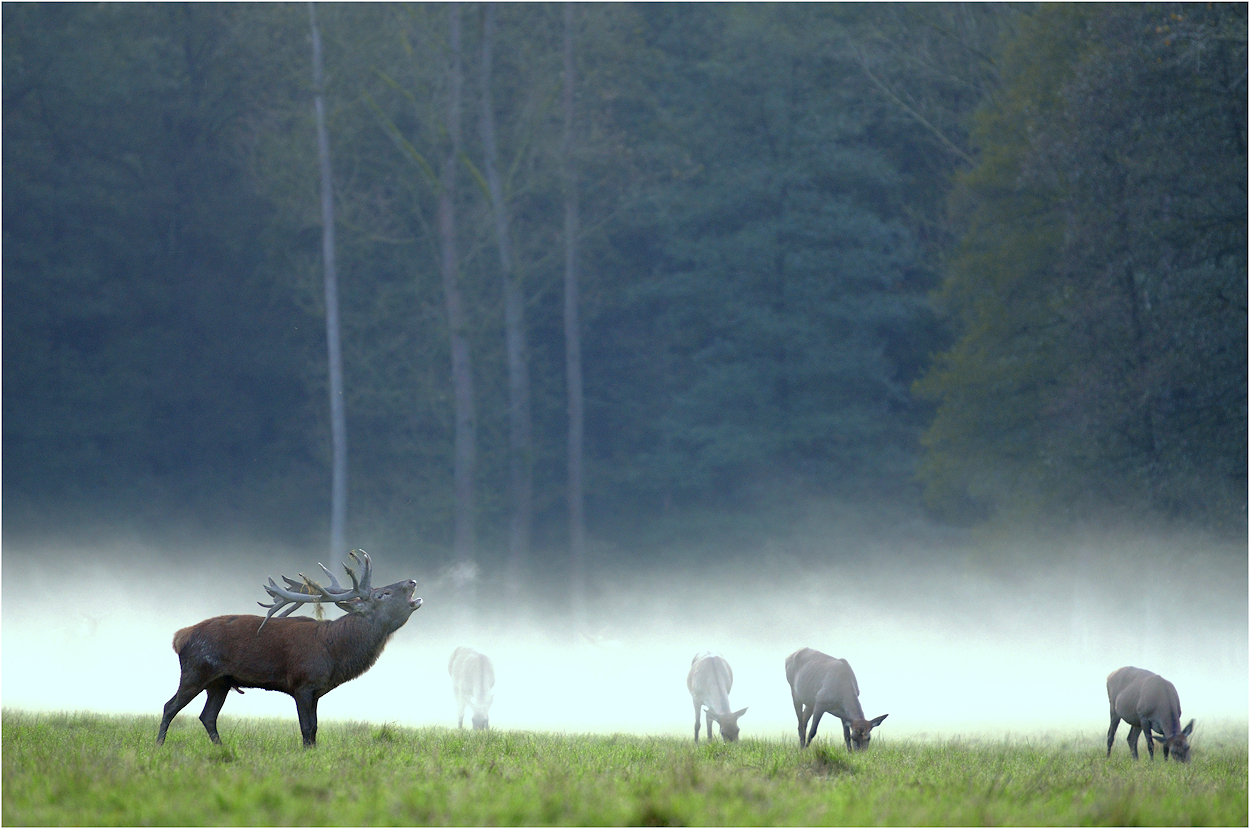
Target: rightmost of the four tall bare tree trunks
573,343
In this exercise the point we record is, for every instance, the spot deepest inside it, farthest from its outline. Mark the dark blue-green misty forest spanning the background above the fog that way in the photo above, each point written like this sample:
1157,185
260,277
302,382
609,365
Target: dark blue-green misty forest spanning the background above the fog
986,258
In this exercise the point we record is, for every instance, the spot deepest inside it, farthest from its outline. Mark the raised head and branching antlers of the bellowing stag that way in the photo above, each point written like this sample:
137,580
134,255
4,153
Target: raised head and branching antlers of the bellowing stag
389,607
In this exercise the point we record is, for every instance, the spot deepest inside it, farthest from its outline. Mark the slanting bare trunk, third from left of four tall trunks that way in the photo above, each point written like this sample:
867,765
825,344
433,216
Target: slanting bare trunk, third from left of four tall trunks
521,441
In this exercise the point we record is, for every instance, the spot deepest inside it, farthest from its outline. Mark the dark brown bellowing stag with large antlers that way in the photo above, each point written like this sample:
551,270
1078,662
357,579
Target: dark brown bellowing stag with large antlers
302,657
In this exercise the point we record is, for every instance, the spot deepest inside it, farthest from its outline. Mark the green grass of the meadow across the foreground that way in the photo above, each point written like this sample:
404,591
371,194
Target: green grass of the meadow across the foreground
76,770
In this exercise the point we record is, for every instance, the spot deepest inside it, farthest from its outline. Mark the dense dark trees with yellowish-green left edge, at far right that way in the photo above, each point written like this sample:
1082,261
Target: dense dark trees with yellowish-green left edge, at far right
1101,281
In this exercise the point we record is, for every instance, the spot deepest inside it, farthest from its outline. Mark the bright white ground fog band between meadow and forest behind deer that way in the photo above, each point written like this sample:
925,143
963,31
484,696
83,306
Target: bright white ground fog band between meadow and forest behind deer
974,637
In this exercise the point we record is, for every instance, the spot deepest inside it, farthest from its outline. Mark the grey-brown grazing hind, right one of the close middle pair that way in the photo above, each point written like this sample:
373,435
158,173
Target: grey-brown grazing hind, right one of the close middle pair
822,685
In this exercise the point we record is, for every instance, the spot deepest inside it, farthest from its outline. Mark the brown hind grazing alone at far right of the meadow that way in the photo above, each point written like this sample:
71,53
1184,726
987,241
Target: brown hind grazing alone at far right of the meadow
1148,703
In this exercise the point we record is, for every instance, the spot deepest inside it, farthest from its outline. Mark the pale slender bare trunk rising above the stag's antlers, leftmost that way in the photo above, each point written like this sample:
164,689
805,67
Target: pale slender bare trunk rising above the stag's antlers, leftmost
338,414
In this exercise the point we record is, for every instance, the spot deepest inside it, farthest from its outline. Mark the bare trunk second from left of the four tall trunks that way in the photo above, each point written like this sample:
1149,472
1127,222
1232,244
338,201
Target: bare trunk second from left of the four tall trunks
462,368
